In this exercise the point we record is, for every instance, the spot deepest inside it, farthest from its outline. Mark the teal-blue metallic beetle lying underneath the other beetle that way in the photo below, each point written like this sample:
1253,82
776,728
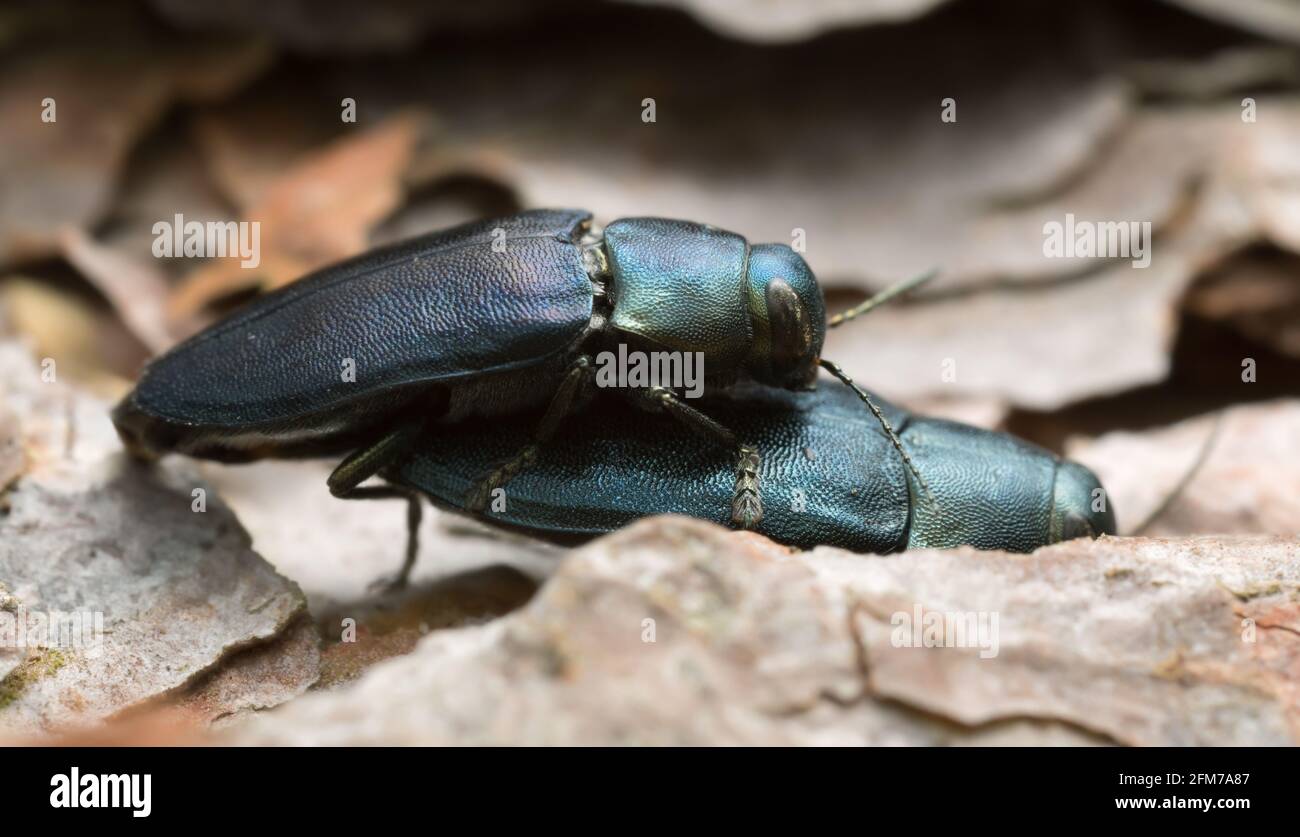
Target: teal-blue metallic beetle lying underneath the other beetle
829,479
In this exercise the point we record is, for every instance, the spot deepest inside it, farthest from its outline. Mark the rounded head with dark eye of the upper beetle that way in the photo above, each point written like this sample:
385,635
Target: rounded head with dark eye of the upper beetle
790,318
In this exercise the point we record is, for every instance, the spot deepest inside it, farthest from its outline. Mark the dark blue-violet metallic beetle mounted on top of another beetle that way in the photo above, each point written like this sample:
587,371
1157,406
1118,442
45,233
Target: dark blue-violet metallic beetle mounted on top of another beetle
487,320
